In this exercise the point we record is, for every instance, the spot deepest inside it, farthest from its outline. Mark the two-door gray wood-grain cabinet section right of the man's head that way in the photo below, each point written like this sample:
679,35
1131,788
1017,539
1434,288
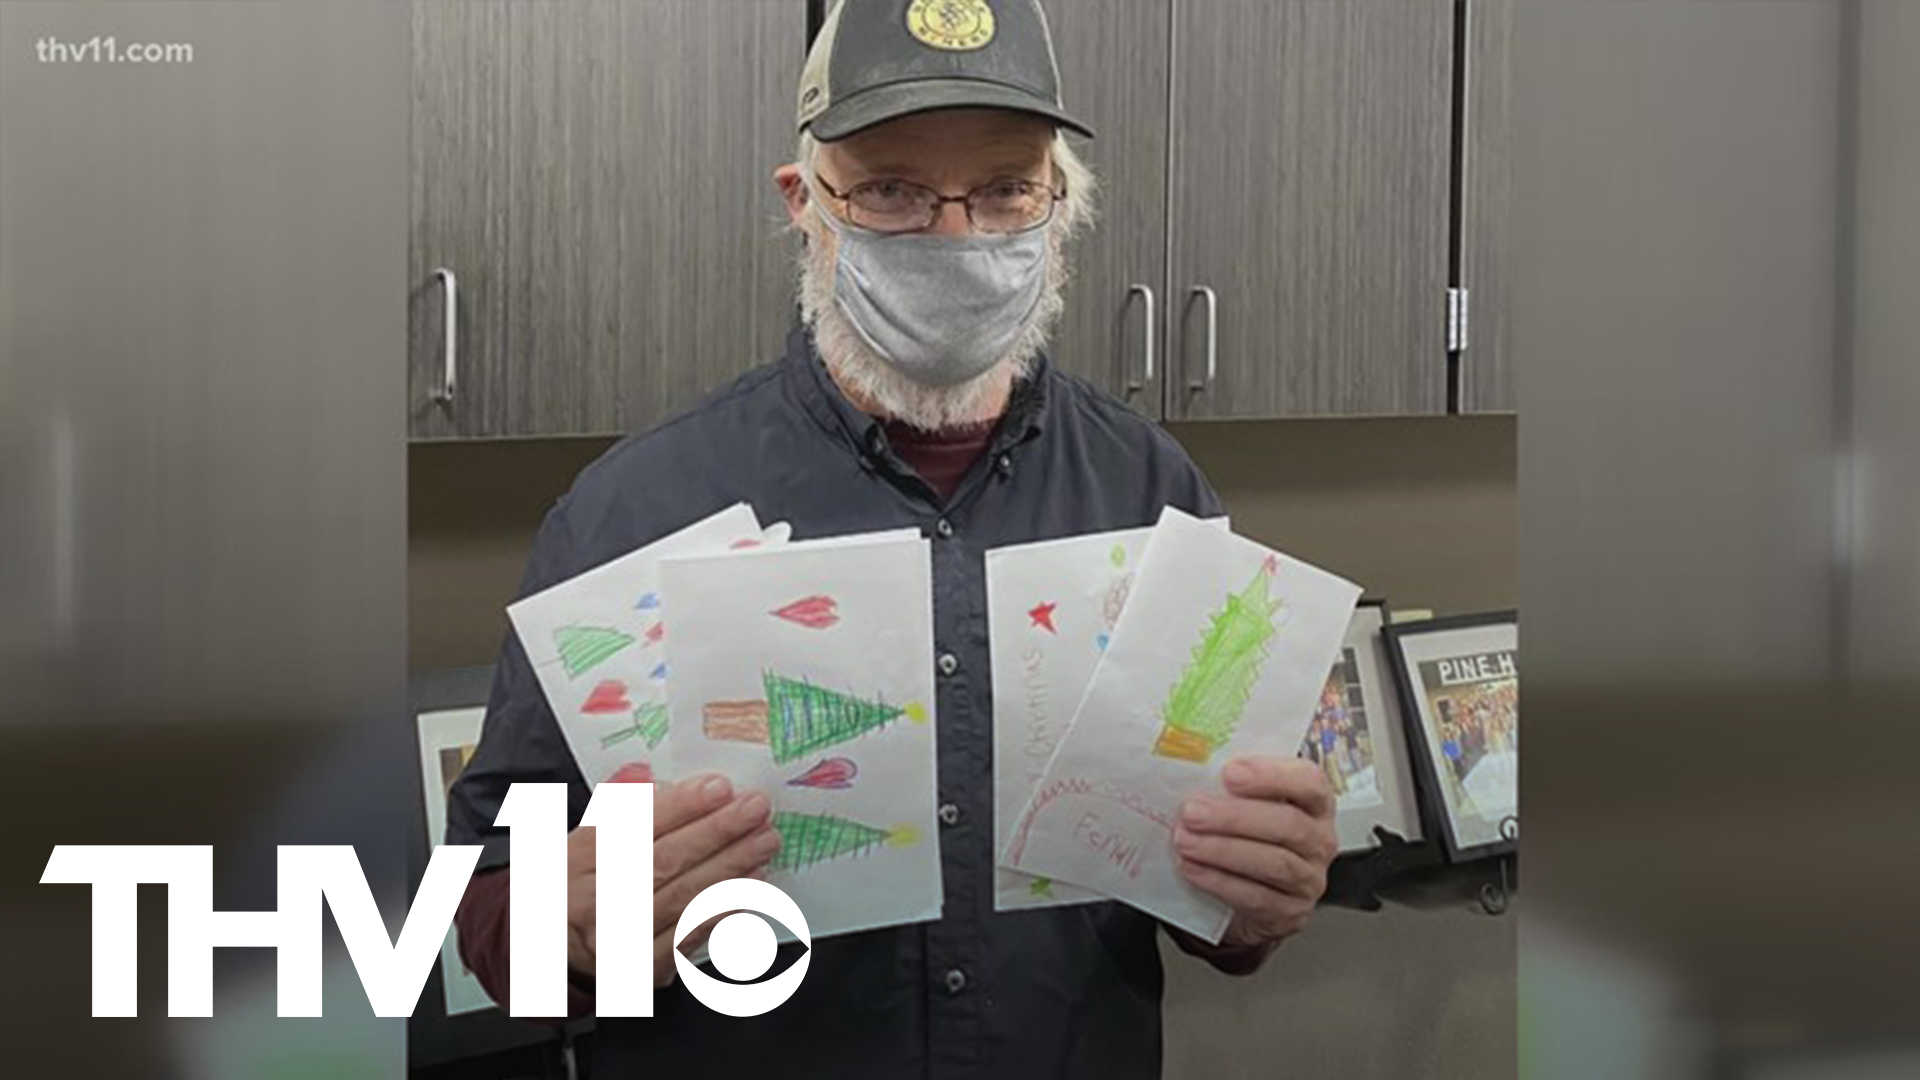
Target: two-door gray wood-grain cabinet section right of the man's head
1278,189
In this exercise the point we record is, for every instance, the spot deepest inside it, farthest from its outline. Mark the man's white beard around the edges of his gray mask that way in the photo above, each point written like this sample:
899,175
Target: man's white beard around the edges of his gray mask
875,383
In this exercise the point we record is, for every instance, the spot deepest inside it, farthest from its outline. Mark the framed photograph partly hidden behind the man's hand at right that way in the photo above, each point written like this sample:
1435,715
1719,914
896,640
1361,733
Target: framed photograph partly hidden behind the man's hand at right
1358,739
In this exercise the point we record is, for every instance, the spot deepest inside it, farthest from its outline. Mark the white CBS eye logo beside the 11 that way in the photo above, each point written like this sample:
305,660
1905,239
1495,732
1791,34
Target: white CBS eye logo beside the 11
742,946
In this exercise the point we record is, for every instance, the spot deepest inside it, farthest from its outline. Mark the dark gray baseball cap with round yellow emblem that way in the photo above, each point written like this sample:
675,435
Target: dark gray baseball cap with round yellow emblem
880,61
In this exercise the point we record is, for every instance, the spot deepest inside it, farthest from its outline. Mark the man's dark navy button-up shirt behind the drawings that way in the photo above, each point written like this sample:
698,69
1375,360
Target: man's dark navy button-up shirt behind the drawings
1067,993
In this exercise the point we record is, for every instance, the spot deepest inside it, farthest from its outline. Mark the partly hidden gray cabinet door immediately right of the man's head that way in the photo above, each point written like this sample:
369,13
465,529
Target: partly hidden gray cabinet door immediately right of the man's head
1115,76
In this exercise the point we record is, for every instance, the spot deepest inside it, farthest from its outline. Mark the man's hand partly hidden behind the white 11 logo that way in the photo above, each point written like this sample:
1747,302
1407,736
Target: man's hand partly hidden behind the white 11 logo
702,835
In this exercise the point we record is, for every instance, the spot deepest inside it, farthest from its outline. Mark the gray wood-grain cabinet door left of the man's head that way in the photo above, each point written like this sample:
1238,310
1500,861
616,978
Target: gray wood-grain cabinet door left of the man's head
598,178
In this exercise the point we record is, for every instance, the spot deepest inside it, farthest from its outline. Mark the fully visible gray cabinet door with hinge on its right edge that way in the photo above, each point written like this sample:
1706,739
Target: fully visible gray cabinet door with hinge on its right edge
1310,193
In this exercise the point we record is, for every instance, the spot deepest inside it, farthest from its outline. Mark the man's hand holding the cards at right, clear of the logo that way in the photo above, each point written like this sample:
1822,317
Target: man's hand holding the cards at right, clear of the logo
1264,847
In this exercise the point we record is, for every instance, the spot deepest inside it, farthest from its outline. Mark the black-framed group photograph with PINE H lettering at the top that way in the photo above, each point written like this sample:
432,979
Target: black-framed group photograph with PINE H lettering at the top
1460,687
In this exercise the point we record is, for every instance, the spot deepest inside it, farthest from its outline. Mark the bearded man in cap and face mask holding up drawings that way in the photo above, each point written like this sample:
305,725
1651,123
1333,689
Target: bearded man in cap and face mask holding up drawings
936,195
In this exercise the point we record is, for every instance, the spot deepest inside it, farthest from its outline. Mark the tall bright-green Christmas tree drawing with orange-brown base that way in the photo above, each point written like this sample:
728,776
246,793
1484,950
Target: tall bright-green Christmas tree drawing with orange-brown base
1207,704
